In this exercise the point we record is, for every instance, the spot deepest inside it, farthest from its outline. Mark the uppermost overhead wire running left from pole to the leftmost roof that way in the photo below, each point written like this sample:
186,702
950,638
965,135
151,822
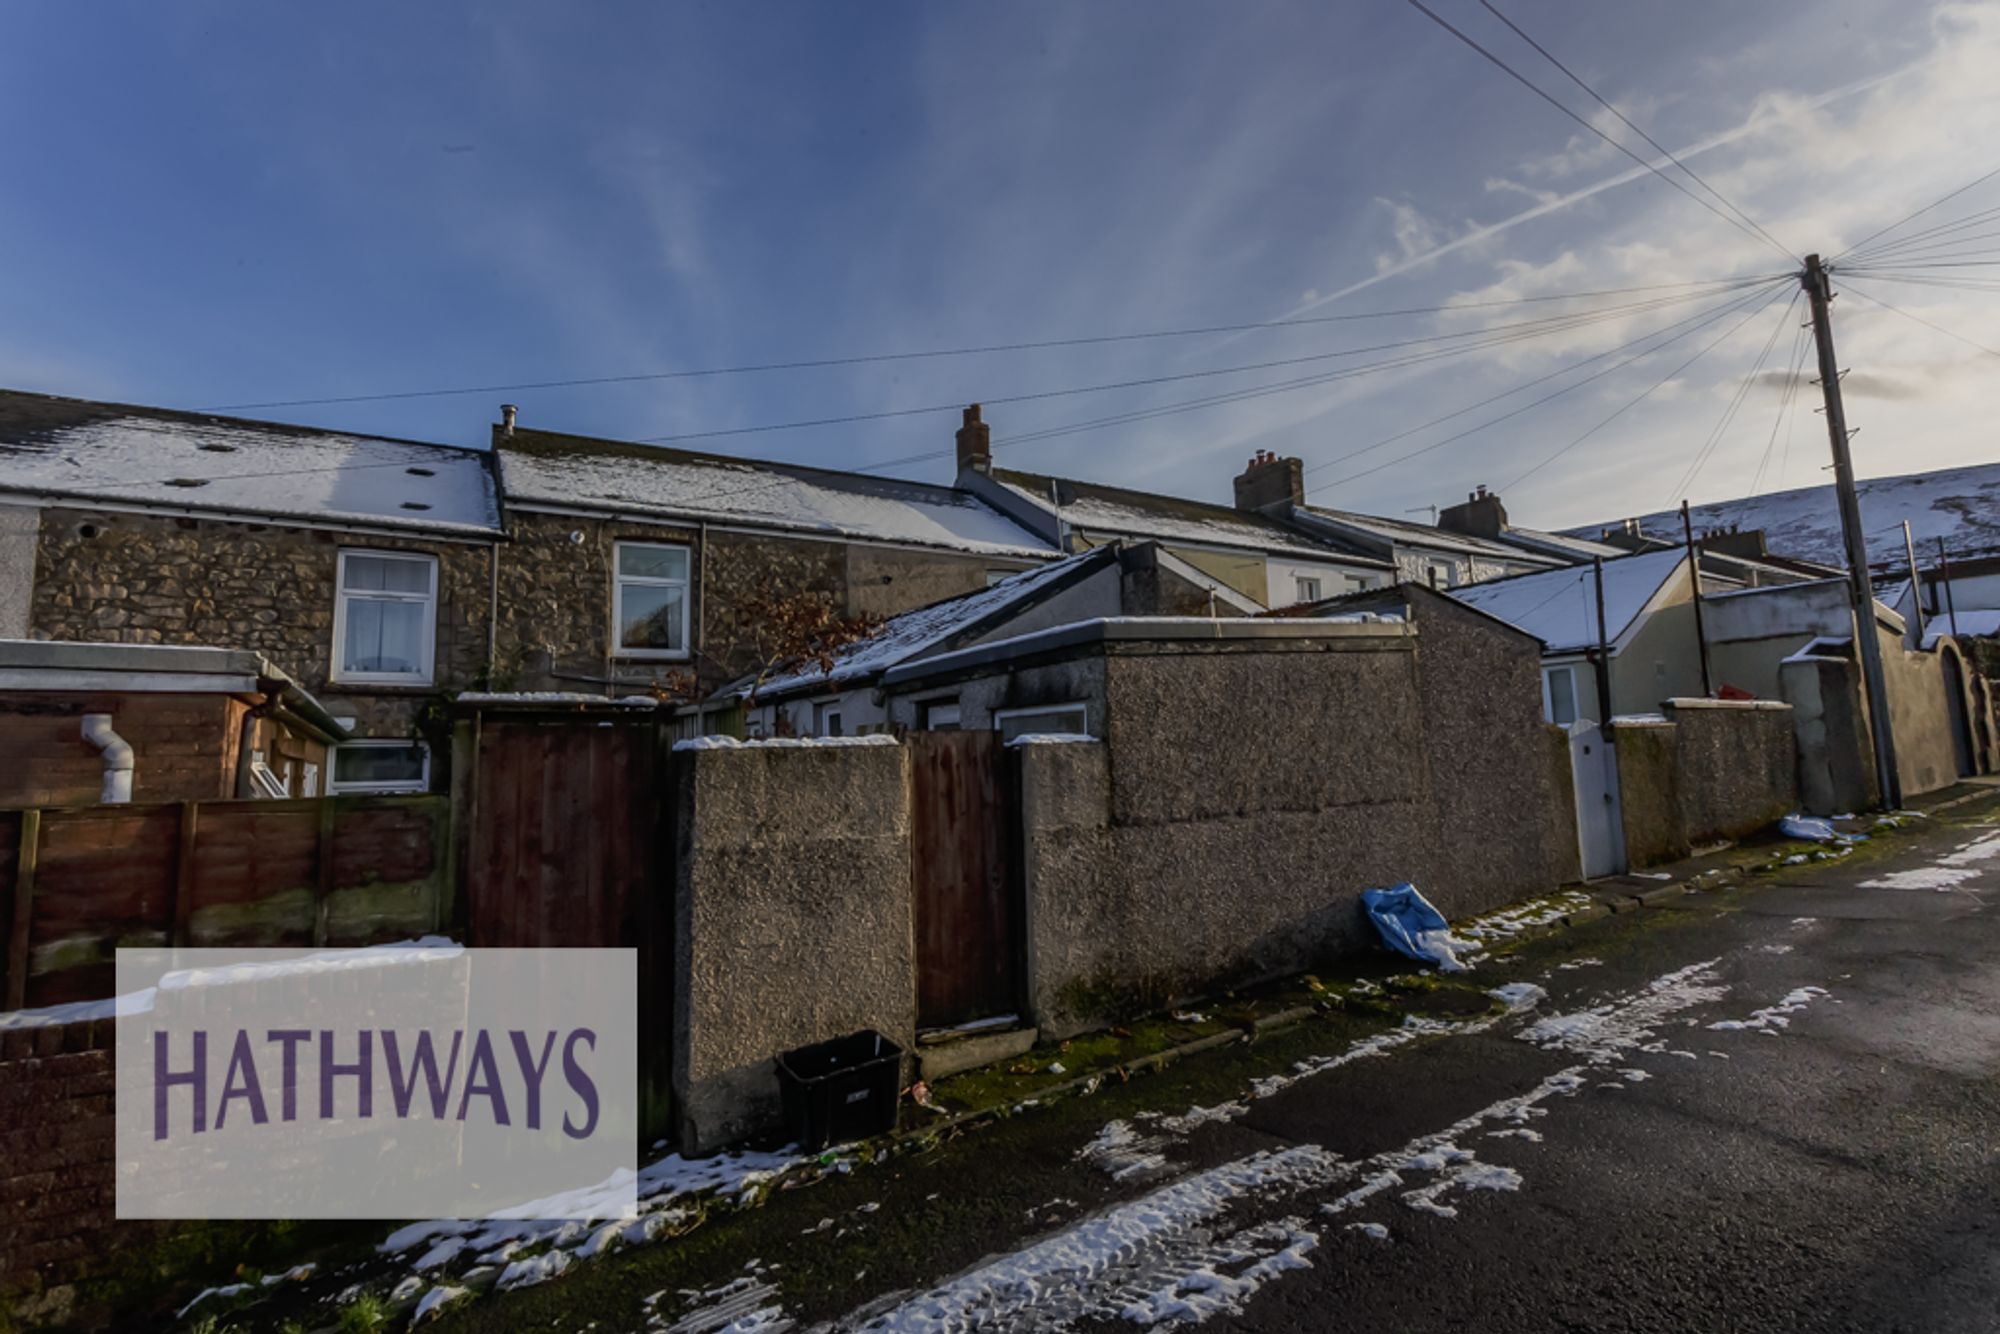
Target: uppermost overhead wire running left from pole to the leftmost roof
945,353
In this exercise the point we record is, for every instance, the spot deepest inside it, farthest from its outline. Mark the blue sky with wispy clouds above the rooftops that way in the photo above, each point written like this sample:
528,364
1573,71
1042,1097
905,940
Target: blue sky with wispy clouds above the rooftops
221,205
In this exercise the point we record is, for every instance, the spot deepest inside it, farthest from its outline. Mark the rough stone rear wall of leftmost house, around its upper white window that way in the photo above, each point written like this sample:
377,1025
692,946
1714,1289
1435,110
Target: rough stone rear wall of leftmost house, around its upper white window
149,579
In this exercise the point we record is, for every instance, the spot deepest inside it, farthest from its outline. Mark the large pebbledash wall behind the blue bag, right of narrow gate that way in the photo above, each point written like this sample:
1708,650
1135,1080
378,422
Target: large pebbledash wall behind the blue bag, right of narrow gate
1325,771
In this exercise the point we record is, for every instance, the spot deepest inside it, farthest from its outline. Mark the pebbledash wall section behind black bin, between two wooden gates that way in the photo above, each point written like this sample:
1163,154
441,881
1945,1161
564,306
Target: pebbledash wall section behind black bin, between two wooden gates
793,919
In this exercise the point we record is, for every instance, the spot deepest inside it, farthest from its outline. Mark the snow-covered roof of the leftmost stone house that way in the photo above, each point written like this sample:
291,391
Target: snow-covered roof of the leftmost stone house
189,461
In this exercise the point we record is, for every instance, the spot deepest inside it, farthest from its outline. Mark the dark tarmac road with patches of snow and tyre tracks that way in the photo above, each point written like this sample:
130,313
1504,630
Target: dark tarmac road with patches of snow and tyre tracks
1759,1109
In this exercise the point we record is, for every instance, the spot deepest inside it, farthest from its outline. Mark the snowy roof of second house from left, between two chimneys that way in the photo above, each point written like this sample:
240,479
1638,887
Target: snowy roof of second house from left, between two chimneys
641,479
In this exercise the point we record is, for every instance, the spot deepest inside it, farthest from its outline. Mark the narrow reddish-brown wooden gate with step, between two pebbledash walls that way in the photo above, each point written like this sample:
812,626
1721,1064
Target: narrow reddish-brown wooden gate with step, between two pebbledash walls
963,837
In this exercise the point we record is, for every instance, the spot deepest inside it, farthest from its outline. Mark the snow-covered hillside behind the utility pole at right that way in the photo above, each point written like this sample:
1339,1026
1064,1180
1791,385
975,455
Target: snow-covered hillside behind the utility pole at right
1959,505
